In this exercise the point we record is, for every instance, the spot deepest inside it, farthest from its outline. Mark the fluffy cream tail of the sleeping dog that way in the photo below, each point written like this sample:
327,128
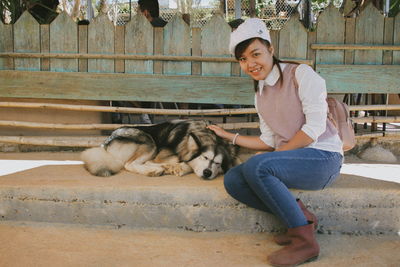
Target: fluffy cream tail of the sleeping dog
101,163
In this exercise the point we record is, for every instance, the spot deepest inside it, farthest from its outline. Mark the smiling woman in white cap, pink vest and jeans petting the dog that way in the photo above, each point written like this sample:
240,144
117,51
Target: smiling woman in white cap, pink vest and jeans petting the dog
306,151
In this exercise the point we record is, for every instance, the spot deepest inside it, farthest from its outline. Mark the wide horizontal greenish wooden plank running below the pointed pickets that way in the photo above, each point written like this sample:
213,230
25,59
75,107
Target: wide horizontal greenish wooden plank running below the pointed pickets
191,89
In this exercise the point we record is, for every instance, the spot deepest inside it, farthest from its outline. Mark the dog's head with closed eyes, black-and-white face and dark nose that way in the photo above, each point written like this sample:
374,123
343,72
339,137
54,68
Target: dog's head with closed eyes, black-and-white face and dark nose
209,156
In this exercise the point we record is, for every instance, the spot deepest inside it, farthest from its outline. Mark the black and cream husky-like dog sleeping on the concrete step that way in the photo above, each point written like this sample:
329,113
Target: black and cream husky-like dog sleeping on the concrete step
178,147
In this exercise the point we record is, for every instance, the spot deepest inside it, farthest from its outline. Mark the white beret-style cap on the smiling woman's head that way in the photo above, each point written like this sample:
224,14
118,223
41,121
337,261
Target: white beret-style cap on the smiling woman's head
250,28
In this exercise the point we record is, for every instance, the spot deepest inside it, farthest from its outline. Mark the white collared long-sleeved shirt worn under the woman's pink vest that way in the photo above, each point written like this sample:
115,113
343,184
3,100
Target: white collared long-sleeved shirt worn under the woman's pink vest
312,94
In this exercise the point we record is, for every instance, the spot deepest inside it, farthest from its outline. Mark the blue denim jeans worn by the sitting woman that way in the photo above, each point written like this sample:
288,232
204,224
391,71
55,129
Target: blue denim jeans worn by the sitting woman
264,180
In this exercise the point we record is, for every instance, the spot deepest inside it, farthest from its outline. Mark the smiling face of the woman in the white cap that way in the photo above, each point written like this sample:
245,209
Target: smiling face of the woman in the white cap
257,60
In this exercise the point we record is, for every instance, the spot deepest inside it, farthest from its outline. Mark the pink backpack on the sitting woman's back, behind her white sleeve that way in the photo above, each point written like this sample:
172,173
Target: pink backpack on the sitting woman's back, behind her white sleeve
339,114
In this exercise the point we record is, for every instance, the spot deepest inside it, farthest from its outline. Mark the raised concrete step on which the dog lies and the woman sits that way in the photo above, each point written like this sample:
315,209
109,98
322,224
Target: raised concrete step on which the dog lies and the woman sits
70,195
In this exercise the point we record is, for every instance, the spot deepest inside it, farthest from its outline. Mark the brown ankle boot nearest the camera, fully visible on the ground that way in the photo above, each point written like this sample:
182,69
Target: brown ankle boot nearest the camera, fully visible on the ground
303,247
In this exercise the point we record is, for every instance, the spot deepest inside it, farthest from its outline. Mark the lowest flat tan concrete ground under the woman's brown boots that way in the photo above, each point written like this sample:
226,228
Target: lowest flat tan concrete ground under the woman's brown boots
40,244
